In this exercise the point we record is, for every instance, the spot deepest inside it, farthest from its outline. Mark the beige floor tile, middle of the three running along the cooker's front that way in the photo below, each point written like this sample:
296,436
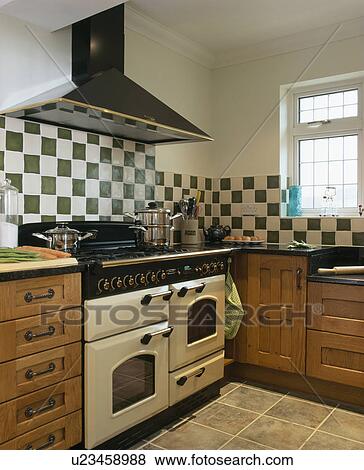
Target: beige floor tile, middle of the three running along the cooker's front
225,418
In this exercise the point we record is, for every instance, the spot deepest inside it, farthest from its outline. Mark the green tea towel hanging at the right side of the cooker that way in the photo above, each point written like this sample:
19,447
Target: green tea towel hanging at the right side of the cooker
234,311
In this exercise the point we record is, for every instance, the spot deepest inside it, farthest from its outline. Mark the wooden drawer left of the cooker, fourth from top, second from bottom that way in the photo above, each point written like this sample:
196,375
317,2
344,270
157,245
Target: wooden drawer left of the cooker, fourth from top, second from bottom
36,409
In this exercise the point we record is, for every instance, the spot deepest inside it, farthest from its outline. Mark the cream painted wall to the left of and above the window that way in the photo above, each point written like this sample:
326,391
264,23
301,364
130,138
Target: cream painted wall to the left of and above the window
246,98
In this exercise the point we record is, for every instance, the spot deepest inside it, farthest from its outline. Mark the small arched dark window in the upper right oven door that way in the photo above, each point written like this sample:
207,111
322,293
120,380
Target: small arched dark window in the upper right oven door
201,320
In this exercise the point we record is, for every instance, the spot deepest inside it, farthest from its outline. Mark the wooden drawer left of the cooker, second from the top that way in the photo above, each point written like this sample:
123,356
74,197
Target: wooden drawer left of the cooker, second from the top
34,334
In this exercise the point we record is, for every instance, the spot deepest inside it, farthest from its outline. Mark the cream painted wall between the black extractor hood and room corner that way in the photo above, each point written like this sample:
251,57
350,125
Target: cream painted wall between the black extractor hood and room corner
186,87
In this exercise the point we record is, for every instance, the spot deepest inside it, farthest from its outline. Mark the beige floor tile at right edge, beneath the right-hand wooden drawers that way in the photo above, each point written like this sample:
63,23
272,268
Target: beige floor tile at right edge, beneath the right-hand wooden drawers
345,424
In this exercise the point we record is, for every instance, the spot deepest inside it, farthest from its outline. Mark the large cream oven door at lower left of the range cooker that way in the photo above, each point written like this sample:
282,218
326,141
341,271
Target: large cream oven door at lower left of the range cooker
126,381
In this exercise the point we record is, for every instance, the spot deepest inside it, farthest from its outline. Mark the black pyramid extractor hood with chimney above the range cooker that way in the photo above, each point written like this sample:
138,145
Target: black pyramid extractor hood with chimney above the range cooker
101,98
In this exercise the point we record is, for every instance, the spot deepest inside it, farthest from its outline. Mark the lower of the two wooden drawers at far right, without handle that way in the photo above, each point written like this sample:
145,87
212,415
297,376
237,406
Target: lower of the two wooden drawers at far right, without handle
336,358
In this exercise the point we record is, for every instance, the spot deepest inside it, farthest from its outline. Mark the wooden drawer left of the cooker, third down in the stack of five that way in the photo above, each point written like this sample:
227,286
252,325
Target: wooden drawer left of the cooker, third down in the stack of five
50,367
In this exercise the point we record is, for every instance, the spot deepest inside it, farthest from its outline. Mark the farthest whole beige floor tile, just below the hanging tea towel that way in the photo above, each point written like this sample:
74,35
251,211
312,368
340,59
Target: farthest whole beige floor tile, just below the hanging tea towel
253,399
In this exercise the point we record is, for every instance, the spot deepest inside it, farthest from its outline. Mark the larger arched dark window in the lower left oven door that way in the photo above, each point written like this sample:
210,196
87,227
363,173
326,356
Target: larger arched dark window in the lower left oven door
133,381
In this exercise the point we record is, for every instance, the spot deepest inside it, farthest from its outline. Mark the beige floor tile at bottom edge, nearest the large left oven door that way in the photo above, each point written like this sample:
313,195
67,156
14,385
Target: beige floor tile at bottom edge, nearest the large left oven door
190,436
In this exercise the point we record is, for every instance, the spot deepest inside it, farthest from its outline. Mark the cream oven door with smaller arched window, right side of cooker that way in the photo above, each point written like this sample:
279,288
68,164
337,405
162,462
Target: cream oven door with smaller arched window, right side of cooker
196,312
